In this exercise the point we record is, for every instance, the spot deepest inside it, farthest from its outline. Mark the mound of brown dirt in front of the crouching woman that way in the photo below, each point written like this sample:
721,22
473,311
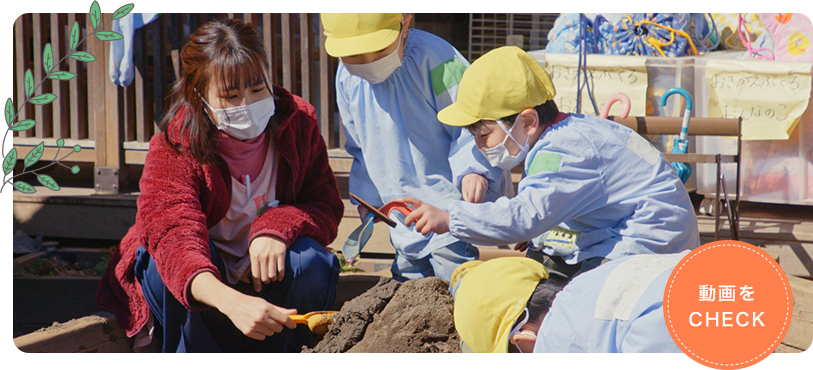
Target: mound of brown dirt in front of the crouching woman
394,318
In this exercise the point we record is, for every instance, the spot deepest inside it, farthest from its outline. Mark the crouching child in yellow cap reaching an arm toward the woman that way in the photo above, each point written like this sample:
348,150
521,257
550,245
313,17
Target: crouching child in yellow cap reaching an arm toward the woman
593,190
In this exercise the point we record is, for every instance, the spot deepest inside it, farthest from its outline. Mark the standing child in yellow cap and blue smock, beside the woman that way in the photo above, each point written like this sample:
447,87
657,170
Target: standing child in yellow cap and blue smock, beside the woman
391,83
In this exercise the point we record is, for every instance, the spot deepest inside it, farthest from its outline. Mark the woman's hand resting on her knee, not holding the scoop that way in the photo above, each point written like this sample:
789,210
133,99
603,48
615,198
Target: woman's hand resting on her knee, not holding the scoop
267,260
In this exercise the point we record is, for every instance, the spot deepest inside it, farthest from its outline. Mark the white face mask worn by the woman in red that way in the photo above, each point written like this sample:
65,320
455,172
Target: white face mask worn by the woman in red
244,122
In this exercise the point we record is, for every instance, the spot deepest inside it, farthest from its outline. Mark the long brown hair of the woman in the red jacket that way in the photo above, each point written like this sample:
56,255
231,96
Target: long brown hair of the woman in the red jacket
228,52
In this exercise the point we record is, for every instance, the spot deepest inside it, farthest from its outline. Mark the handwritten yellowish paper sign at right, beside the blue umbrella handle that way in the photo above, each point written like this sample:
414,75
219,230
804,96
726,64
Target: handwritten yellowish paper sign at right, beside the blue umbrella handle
769,96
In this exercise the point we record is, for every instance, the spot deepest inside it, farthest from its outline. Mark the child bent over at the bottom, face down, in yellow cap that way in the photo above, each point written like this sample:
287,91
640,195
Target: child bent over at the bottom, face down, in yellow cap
513,305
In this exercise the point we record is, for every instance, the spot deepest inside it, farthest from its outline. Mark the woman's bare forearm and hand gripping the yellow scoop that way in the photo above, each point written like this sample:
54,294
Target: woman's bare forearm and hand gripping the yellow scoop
254,317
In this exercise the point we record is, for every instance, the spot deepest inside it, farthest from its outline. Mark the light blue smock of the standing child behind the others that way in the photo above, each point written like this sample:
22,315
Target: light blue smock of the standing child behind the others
399,147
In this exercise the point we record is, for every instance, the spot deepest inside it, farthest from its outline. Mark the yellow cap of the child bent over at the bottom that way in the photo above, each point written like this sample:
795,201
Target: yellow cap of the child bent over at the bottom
490,298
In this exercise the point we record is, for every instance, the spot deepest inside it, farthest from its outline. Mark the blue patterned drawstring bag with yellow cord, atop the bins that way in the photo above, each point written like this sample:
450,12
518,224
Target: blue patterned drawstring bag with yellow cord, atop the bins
654,34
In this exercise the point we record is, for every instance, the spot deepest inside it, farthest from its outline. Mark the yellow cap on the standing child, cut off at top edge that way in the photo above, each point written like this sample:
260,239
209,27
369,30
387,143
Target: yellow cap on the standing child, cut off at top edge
353,33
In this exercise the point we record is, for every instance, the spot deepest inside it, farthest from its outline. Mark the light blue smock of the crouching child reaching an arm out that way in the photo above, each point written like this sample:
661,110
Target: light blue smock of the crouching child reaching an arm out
592,188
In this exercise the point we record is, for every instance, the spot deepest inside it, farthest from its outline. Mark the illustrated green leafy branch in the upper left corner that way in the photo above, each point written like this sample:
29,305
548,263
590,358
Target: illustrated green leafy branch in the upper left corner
10,158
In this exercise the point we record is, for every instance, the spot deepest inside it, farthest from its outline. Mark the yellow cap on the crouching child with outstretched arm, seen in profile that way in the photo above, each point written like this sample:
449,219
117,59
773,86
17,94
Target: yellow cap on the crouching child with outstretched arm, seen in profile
501,83
